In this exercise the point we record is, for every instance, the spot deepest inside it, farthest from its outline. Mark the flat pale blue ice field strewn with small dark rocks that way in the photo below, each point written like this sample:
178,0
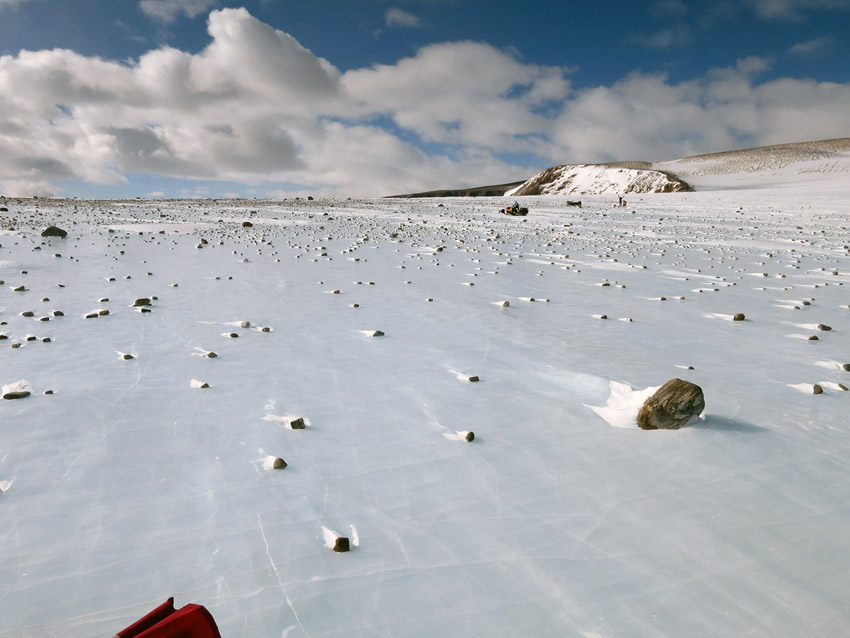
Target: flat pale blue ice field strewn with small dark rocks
131,482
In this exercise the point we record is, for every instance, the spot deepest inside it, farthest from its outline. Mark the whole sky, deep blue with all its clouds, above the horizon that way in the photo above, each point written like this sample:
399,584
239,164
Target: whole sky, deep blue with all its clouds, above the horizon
213,98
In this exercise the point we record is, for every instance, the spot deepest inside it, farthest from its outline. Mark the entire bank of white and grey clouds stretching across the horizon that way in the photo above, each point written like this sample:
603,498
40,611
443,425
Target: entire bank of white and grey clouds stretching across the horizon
255,107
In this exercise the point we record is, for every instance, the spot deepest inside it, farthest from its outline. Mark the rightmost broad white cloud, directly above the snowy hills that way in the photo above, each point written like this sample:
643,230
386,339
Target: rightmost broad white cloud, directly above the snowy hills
646,117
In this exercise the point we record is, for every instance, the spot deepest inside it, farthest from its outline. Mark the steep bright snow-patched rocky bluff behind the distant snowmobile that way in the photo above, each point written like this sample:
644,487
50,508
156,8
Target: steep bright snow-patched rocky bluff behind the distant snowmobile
598,179
